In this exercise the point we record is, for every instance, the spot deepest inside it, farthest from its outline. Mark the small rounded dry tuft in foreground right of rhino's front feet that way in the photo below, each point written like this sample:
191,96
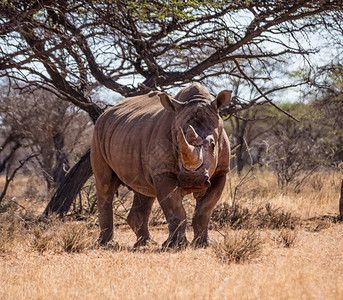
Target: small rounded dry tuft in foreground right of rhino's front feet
239,246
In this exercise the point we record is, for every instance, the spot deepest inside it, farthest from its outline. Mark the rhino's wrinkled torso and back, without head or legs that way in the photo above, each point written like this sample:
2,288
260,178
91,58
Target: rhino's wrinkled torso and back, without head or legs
135,141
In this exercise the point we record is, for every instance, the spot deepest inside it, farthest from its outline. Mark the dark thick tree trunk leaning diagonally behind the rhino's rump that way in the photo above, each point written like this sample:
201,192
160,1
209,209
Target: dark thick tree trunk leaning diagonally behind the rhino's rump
70,187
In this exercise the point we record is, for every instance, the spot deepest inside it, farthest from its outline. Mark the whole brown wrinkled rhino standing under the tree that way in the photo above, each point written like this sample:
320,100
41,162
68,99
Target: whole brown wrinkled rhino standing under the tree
162,147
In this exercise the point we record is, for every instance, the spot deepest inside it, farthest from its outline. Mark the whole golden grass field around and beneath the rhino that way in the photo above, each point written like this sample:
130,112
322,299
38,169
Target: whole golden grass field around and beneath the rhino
51,259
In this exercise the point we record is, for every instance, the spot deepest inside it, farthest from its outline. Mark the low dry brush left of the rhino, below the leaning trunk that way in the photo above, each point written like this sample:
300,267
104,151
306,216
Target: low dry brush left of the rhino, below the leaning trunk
20,229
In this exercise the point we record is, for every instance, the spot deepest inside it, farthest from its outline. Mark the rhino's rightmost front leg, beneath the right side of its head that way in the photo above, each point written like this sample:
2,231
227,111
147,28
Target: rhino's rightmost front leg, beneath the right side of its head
204,208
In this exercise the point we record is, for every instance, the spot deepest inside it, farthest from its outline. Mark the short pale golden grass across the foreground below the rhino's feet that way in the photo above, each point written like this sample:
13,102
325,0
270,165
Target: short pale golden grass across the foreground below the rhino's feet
311,269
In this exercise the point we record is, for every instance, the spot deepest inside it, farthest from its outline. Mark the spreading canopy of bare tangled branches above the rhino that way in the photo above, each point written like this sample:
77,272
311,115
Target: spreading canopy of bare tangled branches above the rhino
71,47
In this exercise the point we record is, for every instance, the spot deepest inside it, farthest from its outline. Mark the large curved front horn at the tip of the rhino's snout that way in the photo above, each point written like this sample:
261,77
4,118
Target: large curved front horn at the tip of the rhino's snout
191,156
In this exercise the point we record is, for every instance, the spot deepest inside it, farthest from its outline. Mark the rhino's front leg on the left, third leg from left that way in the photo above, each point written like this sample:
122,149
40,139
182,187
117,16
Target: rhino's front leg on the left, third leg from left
170,198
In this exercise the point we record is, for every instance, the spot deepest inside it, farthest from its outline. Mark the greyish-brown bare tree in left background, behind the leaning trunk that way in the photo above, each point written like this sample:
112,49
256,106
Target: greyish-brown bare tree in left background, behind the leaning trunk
40,123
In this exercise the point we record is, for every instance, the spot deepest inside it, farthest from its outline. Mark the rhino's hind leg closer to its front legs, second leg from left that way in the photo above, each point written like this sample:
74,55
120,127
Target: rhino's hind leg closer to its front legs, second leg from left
138,218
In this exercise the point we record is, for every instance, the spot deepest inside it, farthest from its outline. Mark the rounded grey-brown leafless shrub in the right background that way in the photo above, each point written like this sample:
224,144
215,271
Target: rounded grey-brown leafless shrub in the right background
294,149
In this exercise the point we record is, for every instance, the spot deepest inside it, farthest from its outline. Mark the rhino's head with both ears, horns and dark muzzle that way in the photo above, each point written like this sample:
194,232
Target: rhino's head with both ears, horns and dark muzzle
198,129
